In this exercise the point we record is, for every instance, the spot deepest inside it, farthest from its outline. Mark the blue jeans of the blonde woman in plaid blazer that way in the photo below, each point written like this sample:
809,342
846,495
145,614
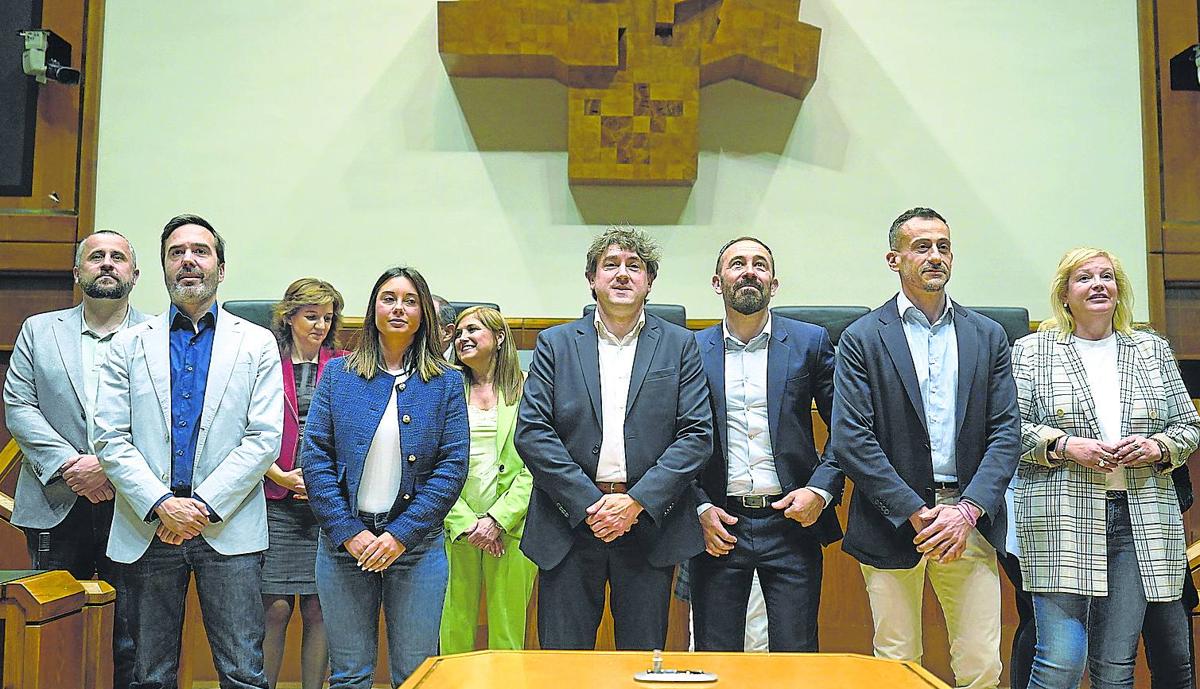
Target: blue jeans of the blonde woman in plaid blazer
1099,631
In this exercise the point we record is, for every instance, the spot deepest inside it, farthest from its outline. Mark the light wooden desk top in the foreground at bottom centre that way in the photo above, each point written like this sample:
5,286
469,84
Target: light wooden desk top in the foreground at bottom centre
613,670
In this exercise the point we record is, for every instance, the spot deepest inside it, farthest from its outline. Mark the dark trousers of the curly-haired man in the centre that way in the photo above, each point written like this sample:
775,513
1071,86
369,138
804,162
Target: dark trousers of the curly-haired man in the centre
571,597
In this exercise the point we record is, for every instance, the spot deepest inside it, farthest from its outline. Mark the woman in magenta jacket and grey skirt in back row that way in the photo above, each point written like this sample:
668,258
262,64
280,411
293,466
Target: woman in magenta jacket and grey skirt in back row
305,323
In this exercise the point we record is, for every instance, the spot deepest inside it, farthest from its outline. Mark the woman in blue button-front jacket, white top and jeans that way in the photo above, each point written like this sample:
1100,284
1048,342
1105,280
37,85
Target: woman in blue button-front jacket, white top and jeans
385,459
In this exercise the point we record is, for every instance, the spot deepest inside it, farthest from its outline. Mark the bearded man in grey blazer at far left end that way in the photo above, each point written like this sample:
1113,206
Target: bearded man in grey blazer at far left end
50,400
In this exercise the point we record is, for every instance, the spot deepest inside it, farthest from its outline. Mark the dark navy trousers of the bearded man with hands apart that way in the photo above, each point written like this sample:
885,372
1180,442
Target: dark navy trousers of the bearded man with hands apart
789,562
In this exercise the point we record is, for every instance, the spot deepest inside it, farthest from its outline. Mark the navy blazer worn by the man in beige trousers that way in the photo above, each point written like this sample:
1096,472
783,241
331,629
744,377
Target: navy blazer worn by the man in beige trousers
883,444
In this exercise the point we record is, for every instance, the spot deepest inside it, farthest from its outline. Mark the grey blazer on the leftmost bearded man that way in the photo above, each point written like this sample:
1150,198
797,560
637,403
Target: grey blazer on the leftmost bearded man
44,409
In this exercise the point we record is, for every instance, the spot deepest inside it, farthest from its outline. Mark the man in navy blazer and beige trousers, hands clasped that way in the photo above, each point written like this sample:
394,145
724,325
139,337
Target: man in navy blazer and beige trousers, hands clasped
926,424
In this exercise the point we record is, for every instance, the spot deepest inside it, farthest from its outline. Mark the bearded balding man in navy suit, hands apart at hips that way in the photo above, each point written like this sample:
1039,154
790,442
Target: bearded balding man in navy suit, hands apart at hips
764,496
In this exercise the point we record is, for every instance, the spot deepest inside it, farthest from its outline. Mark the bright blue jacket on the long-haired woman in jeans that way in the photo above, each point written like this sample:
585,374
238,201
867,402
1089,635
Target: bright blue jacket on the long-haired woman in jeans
343,421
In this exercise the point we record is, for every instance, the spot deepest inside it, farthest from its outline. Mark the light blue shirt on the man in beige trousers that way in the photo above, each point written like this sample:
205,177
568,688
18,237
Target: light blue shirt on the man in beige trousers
935,356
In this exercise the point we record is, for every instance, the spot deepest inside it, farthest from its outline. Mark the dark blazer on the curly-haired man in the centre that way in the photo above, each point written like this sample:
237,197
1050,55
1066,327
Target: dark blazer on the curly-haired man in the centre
669,438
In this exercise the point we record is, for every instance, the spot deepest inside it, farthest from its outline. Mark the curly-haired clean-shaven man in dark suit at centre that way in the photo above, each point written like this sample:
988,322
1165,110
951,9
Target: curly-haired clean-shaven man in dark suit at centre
615,424
